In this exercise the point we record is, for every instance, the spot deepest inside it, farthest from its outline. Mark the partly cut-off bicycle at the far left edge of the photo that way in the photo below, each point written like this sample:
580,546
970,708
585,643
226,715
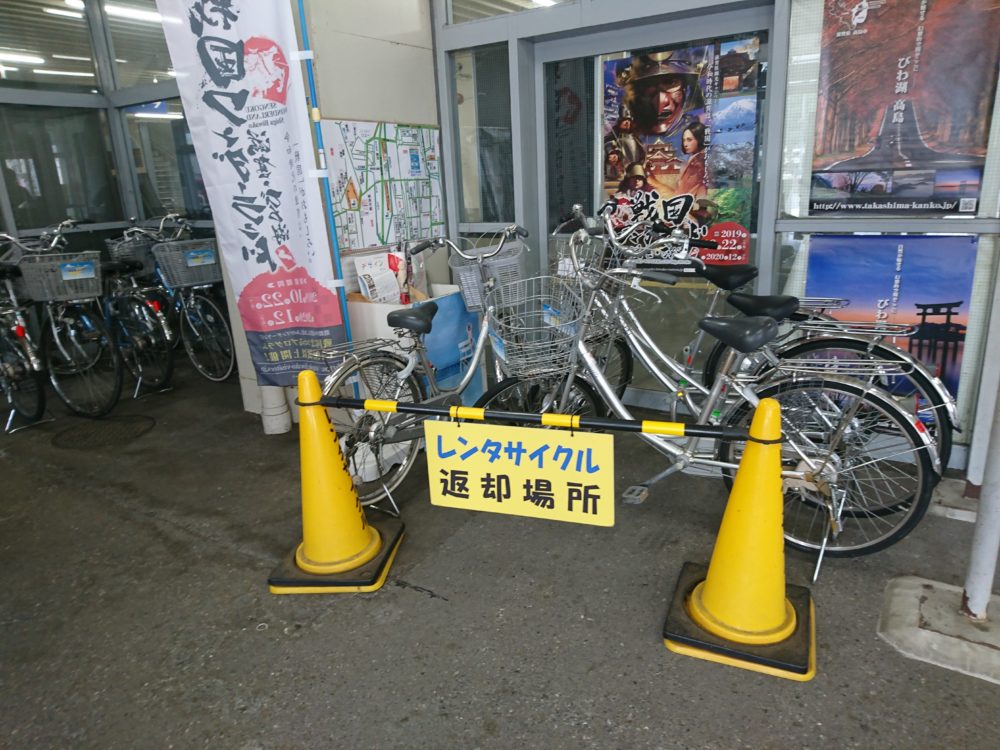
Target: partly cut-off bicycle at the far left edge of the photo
21,378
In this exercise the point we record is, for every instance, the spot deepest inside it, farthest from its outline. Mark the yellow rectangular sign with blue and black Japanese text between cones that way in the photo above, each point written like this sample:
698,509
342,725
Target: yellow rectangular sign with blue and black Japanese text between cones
553,474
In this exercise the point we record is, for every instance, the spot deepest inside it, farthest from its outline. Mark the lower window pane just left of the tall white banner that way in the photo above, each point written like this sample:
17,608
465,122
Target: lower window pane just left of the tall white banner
169,177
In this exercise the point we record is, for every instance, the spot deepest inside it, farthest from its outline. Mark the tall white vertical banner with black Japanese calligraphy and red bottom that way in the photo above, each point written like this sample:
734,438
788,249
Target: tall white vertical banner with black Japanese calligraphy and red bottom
246,108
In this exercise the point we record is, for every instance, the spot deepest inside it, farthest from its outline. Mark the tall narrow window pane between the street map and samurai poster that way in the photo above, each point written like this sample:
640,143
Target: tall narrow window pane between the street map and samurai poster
485,151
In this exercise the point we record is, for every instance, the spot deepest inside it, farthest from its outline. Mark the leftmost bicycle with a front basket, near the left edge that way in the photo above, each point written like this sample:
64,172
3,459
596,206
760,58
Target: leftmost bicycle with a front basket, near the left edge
77,350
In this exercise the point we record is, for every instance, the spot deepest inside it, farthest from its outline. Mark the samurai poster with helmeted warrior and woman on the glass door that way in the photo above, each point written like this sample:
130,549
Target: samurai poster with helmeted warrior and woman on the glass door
680,140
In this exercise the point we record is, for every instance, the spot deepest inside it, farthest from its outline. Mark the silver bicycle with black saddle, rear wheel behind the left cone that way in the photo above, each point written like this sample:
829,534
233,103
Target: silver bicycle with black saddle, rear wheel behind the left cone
380,449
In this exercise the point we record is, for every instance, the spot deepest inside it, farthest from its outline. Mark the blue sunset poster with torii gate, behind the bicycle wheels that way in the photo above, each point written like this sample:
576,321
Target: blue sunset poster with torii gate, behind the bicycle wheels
917,280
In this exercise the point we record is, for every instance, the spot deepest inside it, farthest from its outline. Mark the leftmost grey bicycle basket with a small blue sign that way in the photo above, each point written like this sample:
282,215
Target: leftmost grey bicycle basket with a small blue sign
60,277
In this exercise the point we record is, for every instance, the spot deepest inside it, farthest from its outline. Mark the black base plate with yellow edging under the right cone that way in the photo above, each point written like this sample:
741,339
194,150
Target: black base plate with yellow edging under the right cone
794,658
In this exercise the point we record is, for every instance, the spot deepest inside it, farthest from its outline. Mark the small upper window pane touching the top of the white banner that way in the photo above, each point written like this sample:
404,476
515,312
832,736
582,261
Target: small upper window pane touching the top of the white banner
141,54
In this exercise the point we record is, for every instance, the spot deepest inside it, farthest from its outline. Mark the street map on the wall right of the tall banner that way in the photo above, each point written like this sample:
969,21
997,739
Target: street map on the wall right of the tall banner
385,180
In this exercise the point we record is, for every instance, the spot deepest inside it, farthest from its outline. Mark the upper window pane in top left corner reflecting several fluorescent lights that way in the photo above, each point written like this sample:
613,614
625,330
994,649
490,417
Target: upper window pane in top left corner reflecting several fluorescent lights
45,44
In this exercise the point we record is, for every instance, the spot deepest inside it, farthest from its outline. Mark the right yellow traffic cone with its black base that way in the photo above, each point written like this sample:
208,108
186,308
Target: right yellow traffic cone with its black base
740,612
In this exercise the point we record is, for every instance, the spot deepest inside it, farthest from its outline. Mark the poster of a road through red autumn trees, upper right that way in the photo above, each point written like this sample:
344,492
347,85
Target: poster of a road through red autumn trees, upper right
906,92
